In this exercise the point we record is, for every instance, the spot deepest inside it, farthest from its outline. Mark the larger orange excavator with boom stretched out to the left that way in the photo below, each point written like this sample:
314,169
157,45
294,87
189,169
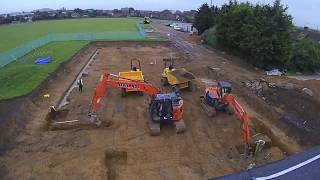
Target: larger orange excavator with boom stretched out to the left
163,107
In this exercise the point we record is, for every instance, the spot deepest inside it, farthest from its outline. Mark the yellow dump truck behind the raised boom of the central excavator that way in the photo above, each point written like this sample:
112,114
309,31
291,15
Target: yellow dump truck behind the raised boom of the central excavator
135,73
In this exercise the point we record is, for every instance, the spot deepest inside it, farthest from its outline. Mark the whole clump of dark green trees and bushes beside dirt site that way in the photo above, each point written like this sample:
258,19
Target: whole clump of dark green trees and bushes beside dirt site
262,33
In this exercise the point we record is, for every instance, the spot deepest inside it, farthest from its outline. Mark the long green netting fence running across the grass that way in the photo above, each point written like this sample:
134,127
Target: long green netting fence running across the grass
20,51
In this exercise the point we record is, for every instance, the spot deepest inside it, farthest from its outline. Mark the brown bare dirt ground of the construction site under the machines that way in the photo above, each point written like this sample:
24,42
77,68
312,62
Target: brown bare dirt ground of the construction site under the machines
122,148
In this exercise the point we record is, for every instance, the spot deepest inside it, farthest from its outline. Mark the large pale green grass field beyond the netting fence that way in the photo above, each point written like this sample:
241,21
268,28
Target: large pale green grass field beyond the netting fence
14,35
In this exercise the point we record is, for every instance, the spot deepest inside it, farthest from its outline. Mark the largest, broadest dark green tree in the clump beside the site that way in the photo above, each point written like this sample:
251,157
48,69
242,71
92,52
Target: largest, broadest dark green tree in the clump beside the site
262,33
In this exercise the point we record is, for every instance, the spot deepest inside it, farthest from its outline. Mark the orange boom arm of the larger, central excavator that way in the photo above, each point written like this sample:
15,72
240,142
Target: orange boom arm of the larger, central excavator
106,80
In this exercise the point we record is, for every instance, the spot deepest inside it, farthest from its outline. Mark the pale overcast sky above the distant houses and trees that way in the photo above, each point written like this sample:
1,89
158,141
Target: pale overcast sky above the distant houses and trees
305,12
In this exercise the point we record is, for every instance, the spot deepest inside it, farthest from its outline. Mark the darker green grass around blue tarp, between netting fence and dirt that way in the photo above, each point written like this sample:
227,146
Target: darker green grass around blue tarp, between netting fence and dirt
21,77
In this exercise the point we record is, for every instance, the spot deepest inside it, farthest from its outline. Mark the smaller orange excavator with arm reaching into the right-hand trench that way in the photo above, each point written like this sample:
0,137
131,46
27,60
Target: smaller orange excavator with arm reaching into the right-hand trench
219,98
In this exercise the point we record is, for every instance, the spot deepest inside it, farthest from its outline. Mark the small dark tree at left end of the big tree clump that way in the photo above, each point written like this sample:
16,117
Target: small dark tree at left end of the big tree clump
203,18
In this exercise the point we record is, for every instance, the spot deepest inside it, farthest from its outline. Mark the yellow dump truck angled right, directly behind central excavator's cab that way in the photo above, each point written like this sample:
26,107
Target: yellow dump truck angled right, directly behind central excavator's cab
177,78
